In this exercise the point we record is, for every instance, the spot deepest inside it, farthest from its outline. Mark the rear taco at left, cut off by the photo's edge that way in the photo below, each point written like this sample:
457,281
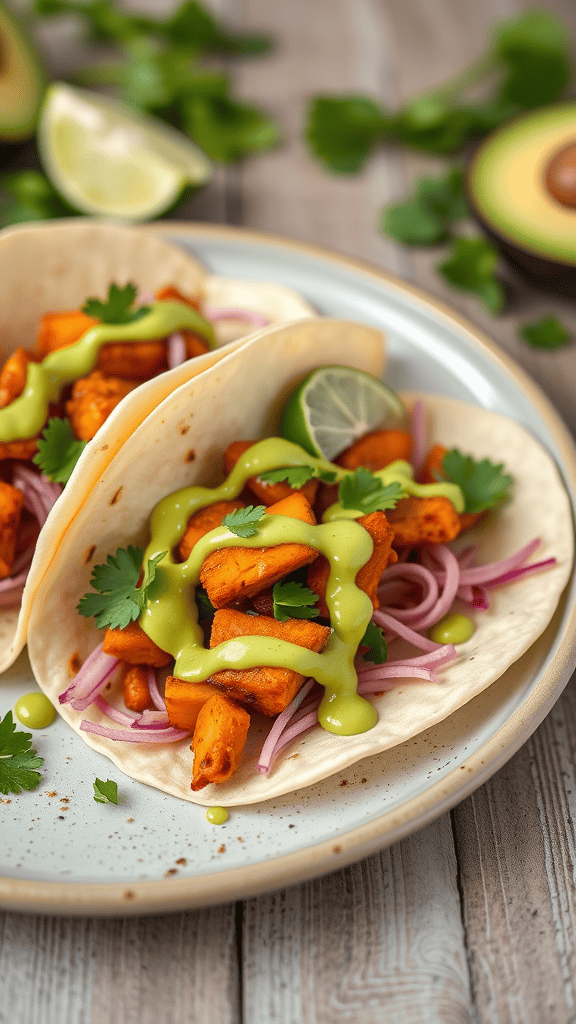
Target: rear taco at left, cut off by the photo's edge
65,289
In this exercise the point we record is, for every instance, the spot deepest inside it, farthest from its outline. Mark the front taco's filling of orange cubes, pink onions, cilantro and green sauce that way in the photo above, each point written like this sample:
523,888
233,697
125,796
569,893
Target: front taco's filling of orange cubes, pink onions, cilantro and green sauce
279,591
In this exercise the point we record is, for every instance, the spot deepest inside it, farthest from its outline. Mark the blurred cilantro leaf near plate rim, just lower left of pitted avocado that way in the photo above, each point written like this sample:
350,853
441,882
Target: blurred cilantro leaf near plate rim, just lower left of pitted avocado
472,267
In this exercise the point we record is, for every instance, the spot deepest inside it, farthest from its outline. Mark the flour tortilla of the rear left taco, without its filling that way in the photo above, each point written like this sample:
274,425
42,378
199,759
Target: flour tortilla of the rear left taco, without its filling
54,267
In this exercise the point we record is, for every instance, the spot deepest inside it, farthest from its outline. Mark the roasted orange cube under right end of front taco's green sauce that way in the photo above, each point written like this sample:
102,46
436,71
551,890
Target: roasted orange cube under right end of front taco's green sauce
424,521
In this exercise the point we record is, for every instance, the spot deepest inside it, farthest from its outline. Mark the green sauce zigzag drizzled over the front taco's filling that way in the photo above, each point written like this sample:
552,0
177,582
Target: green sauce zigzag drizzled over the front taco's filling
172,618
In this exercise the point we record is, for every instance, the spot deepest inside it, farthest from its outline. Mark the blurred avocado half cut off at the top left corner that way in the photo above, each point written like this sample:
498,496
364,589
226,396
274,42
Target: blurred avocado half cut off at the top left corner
22,81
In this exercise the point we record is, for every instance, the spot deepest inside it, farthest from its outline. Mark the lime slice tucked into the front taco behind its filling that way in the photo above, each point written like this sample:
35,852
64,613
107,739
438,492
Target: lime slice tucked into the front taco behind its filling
335,406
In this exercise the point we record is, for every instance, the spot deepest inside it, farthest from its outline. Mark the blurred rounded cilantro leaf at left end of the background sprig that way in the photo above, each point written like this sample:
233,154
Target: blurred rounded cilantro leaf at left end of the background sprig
343,132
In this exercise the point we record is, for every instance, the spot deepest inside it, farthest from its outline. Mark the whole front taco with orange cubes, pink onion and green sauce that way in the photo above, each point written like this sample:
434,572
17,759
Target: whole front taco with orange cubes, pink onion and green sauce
220,681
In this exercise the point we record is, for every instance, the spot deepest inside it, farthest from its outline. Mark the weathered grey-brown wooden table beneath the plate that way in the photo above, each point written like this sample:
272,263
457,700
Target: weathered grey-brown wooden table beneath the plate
472,919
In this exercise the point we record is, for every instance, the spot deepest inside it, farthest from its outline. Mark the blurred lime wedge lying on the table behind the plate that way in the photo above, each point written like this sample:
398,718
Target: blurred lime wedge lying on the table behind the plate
108,160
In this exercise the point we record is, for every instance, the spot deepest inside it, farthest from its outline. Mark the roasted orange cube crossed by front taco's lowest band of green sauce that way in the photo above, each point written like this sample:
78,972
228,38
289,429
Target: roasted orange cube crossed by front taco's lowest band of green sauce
267,690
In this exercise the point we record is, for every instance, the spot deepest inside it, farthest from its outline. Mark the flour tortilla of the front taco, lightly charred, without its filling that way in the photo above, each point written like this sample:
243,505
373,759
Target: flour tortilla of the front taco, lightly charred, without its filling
241,398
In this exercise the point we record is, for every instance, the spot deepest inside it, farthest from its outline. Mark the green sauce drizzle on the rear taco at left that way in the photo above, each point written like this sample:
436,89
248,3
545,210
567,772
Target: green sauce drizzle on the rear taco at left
26,416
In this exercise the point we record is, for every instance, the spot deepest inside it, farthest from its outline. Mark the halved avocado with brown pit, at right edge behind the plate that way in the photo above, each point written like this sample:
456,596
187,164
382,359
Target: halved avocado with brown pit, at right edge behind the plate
522,187
